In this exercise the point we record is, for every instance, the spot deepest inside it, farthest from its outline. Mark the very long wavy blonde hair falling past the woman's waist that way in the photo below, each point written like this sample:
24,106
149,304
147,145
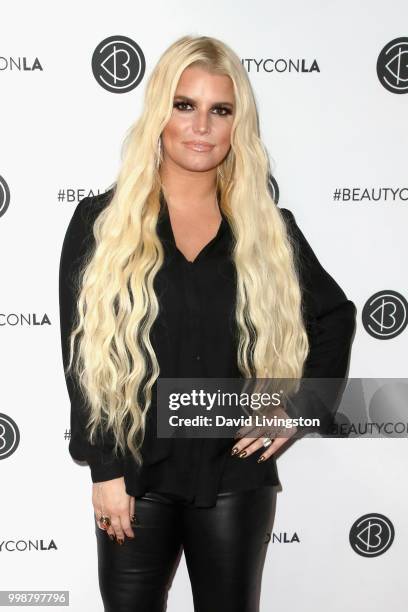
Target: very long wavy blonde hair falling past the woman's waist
117,306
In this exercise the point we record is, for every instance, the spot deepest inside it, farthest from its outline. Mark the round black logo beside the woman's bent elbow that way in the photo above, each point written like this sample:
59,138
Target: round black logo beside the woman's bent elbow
384,315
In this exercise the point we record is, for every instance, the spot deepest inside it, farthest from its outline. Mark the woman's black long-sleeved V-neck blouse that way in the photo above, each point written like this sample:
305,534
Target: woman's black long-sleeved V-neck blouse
194,336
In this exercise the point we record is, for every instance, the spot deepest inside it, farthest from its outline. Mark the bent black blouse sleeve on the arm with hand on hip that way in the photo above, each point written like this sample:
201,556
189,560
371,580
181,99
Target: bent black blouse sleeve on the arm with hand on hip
330,323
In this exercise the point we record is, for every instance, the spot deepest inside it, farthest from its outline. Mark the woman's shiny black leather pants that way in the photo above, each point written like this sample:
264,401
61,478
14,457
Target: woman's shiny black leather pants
224,547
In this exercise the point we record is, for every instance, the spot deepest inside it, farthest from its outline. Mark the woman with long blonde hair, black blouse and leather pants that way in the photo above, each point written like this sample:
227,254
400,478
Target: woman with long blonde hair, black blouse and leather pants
187,268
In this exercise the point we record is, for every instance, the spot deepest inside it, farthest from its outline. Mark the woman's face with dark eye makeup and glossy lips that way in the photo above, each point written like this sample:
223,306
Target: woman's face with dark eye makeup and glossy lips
203,110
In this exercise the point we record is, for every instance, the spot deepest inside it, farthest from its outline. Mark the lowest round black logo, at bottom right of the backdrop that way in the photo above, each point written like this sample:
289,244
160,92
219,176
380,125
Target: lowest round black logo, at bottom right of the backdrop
371,535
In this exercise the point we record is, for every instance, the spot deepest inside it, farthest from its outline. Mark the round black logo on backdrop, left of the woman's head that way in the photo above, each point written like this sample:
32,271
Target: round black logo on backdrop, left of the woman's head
118,64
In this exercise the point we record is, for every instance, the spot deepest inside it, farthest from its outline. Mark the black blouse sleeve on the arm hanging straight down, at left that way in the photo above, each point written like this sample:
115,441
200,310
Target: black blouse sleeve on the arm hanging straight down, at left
104,465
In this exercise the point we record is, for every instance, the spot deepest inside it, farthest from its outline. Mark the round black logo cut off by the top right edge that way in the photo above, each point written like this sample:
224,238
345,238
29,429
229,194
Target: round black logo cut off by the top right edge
392,65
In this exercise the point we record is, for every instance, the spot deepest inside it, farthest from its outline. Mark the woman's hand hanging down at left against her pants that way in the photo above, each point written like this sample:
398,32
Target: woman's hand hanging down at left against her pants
109,498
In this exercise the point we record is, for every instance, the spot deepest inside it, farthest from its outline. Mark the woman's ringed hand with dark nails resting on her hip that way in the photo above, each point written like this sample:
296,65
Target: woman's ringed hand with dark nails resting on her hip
248,445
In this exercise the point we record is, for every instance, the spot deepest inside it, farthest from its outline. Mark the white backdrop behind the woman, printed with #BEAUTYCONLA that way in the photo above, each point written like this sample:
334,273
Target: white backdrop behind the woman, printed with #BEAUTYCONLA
335,127
